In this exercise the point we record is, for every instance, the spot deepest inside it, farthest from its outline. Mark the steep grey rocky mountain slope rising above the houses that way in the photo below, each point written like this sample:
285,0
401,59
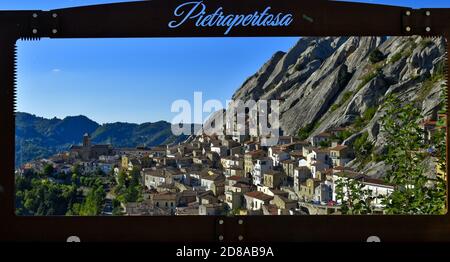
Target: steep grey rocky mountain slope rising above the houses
325,83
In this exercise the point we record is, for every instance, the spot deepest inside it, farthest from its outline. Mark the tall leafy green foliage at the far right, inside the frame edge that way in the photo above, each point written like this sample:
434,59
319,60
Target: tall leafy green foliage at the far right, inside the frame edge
415,192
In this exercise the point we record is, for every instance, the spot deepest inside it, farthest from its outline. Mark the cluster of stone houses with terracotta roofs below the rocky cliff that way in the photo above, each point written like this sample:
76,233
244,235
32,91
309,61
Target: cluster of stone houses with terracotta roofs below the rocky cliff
222,175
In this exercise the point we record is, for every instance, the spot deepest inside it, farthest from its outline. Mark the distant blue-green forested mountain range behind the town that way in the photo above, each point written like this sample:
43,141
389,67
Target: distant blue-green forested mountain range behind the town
38,137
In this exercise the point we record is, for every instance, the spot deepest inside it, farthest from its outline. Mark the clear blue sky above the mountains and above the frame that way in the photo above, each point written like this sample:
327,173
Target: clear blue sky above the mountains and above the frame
136,80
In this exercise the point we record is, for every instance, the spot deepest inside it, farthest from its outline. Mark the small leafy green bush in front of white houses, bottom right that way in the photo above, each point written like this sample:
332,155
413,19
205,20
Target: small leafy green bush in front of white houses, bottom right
353,198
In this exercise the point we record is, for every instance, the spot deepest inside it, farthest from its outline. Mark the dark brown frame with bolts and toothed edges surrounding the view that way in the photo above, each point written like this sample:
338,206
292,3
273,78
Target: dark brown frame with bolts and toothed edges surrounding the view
149,19
